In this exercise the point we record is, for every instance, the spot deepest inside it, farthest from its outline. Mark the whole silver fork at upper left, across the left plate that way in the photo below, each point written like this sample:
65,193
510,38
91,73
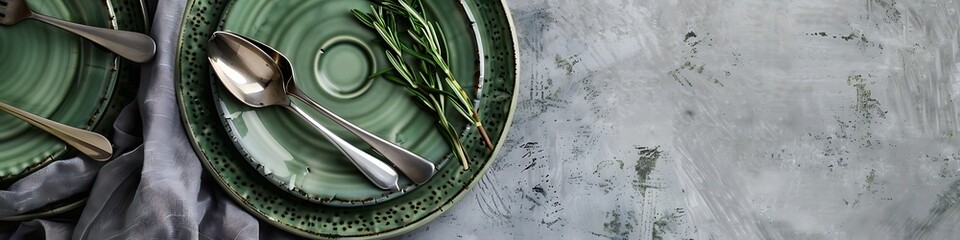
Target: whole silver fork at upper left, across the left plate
137,47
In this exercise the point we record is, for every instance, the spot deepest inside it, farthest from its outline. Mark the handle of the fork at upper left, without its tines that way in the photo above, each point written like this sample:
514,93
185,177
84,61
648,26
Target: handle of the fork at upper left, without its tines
137,47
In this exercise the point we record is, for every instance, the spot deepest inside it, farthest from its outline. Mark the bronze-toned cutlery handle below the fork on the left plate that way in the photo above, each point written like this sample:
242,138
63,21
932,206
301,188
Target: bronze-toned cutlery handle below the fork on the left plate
89,143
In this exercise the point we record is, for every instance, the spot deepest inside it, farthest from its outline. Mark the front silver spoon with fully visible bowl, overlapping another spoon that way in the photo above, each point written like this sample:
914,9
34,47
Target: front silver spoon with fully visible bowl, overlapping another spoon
256,80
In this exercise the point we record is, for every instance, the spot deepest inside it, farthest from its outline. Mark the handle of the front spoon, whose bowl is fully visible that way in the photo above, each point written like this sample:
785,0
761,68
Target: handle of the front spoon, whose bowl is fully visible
378,172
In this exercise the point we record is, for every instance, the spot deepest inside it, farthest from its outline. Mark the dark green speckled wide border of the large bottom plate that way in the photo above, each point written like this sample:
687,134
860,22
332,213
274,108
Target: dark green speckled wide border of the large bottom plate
313,220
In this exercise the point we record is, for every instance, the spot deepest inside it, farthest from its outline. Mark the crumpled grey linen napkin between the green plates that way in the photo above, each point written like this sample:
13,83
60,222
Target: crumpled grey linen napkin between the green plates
155,189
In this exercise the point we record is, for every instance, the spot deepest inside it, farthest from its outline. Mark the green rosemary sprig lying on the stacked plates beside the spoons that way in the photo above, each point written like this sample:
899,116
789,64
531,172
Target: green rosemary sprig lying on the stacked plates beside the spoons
419,63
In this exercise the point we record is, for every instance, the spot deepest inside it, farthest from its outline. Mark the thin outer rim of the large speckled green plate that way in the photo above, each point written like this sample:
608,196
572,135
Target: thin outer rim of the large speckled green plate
459,195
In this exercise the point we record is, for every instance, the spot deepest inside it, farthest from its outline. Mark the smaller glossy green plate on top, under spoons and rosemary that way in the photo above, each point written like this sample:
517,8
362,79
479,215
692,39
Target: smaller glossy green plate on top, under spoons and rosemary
333,54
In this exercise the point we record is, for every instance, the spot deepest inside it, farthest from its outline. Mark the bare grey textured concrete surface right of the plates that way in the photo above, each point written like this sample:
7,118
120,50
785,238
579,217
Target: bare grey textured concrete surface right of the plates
739,119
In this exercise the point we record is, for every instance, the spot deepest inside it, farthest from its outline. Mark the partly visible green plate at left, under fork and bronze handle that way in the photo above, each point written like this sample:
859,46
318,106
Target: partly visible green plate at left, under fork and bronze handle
60,76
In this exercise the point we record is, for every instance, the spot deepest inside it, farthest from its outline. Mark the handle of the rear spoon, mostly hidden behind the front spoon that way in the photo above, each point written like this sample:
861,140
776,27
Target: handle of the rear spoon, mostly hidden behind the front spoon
416,168
